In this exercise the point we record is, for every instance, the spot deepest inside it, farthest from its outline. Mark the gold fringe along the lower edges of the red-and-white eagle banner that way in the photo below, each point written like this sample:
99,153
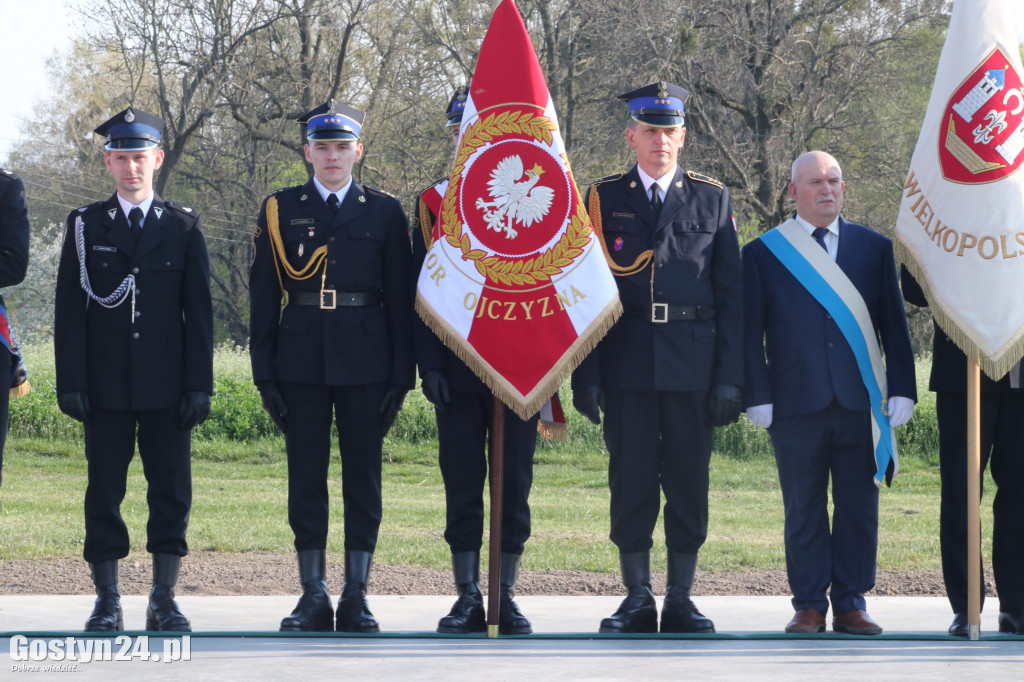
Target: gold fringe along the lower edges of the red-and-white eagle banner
524,406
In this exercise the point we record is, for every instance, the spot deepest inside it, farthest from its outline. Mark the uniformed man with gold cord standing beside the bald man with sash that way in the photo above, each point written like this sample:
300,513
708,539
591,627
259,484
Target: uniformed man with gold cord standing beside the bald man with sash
671,369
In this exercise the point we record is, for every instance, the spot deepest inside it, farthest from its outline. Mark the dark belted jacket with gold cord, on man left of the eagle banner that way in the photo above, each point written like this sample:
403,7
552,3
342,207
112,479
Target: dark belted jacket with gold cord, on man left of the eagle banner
368,251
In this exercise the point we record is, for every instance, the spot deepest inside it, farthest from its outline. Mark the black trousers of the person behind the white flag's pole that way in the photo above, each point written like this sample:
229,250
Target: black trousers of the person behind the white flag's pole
1003,450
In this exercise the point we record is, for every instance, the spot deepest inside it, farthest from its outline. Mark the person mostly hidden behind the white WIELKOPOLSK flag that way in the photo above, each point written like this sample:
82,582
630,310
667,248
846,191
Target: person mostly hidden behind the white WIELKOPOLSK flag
1003,448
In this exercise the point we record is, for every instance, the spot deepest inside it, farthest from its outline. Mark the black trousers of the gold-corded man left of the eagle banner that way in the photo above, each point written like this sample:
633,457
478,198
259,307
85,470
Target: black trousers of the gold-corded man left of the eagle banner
312,408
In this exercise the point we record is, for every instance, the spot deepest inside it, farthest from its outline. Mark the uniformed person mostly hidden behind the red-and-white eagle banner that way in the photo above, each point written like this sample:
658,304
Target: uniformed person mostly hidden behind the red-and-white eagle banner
465,407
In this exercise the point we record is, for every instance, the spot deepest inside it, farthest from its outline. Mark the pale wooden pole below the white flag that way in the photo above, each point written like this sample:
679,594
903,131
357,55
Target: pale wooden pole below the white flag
973,499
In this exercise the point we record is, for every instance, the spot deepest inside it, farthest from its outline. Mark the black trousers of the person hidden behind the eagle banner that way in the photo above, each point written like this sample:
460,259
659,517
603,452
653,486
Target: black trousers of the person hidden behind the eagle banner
462,436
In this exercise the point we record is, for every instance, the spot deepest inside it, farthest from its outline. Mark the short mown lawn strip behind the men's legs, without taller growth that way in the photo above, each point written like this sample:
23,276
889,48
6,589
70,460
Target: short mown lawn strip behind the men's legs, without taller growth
240,505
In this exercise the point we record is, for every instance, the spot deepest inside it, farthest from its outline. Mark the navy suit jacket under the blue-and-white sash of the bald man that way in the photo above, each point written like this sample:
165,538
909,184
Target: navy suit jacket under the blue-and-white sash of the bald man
809,363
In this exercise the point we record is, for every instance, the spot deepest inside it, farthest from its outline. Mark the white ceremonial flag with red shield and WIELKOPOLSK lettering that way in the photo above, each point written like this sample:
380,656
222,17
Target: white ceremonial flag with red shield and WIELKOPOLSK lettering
961,224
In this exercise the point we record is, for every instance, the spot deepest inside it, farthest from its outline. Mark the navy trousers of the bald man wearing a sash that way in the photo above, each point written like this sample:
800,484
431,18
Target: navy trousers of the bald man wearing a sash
835,443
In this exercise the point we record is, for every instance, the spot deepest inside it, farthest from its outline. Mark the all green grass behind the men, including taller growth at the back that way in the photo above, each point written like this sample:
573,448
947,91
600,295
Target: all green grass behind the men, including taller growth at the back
240,489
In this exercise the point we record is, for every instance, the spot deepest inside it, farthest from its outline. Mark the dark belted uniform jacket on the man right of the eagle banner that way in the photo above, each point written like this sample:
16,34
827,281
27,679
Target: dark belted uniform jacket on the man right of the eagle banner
696,264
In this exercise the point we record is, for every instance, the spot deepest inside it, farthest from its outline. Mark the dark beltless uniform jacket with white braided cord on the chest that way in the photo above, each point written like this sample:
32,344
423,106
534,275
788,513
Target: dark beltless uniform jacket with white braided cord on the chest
147,363
